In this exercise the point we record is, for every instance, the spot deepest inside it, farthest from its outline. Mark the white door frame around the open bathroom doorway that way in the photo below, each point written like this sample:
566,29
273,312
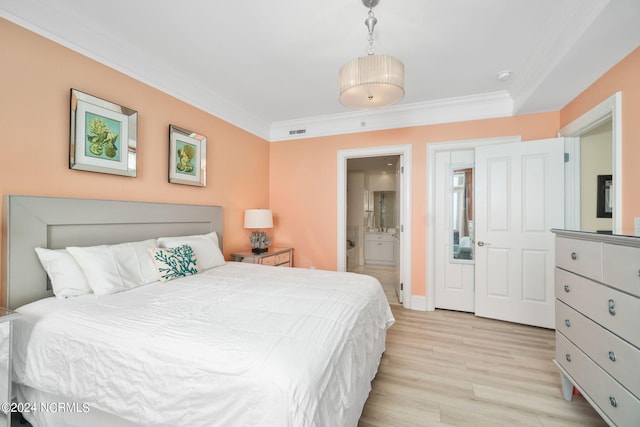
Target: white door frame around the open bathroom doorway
405,221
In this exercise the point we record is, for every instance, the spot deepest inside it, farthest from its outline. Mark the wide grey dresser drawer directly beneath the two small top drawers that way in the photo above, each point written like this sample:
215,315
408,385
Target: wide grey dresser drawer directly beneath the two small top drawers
615,310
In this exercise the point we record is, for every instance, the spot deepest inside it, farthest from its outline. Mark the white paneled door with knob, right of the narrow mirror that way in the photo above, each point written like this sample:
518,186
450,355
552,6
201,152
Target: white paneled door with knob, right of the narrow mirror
519,198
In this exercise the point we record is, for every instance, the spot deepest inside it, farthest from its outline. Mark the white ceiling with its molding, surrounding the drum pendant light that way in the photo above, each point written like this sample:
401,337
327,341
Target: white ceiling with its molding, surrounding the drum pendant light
271,67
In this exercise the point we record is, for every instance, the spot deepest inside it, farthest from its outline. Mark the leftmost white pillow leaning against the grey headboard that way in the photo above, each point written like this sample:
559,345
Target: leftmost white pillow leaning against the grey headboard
67,279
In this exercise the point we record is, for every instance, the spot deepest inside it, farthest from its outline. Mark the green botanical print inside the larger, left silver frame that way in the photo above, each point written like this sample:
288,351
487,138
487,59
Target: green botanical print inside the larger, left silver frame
102,137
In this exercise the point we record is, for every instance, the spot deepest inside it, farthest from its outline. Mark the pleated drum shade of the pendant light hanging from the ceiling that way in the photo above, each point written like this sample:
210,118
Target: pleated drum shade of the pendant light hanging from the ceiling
371,81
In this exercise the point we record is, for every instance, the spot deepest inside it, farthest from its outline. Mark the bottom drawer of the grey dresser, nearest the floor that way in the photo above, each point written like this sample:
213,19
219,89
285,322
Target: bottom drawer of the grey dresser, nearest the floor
603,391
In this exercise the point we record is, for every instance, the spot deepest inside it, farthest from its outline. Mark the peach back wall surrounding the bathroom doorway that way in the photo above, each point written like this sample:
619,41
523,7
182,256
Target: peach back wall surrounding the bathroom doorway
304,182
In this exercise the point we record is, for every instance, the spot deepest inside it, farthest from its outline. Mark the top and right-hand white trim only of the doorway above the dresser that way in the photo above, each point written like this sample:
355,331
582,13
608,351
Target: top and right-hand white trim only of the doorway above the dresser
610,108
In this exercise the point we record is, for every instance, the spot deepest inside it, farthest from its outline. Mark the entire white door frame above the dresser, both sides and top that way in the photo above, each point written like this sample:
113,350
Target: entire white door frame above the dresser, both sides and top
610,108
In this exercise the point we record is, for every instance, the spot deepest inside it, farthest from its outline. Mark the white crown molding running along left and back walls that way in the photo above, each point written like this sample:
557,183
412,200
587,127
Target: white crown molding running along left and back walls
490,105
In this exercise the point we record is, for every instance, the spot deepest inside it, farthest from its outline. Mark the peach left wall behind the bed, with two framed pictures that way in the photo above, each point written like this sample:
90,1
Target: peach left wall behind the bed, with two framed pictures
36,76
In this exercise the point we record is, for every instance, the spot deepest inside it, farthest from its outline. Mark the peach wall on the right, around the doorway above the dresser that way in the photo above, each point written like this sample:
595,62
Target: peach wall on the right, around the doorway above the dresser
623,77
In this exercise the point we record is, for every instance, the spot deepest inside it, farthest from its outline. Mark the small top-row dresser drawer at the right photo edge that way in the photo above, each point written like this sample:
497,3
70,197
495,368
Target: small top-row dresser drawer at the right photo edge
621,268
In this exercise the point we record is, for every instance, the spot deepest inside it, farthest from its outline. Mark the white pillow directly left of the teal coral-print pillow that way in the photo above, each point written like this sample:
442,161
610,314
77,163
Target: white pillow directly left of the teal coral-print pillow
115,268
